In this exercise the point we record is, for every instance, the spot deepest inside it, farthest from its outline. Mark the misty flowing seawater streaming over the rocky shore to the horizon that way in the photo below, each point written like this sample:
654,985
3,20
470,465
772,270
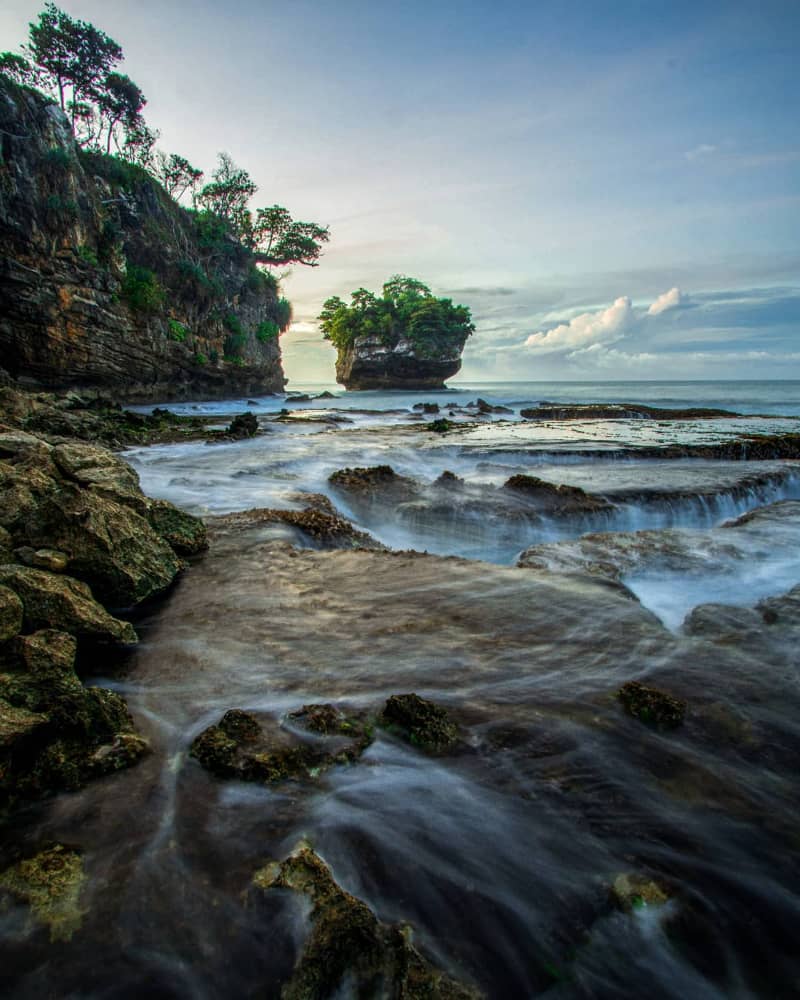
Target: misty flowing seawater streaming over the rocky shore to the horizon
501,853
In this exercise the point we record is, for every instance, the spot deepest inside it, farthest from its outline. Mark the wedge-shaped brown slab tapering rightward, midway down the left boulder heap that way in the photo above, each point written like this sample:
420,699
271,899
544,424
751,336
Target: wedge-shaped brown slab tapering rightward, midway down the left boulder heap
60,602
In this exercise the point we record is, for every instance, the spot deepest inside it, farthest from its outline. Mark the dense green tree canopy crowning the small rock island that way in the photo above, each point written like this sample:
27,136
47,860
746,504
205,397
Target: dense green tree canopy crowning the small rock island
406,309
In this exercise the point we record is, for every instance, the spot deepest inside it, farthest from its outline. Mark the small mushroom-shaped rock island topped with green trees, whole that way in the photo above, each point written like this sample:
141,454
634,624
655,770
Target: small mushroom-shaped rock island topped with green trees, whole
404,339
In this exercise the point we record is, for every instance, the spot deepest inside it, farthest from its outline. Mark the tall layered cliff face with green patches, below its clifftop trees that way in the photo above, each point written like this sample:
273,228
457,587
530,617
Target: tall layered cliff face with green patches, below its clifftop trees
106,283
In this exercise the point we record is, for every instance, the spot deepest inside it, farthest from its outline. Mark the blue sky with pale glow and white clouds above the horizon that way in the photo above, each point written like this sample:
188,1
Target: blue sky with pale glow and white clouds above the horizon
613,188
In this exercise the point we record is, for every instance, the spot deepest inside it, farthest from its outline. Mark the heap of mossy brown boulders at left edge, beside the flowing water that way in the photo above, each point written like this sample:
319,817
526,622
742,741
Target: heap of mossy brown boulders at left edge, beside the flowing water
77,537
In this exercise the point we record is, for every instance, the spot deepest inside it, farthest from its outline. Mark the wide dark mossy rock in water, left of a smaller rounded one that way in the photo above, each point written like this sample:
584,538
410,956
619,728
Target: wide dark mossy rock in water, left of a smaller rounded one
239,747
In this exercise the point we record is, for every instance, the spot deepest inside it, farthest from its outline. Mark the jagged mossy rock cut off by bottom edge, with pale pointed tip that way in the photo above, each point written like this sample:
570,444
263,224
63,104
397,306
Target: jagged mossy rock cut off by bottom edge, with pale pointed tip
348,950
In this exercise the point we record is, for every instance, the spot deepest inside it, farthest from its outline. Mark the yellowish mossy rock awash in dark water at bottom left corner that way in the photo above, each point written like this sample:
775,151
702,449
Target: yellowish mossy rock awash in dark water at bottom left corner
49,884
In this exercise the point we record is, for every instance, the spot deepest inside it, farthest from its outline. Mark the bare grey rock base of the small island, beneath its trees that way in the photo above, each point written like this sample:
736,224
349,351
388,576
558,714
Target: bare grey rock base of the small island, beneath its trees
370,363
